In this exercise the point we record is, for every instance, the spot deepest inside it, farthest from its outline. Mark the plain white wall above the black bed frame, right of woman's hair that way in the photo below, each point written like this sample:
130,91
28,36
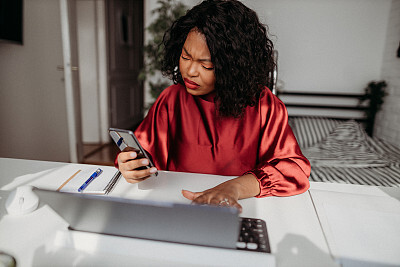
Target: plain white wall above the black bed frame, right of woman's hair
326,45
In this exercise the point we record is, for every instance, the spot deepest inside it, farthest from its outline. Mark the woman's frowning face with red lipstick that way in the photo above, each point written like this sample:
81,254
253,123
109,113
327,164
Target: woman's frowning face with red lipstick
195,65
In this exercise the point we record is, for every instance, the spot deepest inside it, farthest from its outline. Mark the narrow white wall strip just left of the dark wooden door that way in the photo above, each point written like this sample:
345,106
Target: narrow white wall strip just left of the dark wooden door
93,70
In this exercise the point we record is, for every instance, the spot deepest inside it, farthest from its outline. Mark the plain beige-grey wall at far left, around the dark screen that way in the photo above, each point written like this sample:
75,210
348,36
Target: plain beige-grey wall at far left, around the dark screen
32,96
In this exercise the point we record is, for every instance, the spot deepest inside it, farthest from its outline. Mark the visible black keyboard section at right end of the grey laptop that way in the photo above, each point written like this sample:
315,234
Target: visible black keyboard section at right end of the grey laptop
253,236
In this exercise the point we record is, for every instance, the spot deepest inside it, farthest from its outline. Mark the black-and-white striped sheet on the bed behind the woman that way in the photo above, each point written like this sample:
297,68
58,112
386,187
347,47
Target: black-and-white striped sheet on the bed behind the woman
340,151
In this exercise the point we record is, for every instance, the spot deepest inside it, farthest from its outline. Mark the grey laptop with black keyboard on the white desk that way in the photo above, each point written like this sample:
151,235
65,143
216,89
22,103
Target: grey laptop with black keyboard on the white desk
203,225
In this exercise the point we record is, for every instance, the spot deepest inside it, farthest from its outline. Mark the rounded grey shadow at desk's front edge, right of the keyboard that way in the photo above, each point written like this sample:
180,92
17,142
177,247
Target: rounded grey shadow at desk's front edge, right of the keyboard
295,251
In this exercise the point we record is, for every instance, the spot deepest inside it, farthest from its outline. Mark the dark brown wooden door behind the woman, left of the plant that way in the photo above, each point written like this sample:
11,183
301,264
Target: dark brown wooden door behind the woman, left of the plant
125,45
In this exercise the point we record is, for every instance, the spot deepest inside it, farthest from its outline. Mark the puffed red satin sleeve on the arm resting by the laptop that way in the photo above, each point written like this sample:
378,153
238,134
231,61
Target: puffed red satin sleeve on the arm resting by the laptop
282,169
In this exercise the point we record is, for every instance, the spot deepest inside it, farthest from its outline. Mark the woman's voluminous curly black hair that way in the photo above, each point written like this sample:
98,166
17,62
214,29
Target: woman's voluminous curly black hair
240,50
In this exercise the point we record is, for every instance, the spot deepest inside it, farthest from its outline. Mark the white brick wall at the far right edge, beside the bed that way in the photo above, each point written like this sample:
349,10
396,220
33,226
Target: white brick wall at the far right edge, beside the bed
388,120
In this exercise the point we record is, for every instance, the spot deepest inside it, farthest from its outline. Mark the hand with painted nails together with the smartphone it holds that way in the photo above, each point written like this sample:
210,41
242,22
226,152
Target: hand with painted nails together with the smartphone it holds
137,166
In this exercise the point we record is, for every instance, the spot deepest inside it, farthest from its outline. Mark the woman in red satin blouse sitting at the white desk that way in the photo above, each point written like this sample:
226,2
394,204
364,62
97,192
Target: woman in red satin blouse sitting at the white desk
219,117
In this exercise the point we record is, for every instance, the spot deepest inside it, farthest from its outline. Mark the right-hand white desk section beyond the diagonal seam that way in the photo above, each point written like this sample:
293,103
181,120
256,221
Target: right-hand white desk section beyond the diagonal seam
361,223
